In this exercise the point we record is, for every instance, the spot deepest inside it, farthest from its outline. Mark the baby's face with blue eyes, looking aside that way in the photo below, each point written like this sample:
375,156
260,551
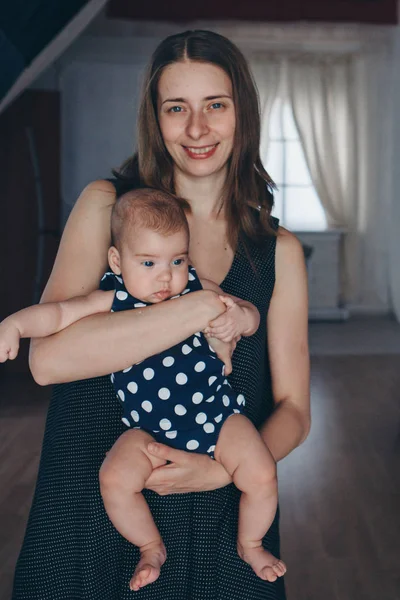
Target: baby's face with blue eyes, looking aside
154,266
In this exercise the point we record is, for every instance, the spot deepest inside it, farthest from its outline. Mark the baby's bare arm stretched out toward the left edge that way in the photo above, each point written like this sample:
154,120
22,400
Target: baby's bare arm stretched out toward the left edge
45,319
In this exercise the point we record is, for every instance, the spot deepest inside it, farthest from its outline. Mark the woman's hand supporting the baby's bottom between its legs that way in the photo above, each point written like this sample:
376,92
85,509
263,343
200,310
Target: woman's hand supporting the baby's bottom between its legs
187,472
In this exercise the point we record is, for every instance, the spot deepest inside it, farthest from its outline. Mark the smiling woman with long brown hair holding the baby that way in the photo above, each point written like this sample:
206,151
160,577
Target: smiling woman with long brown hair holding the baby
198,137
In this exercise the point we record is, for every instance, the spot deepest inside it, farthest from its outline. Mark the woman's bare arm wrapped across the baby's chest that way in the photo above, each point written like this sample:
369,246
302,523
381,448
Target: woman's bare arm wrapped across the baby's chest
100,344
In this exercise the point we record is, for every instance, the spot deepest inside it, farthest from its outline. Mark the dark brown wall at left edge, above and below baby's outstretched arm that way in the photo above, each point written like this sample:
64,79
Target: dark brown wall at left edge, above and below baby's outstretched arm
19,229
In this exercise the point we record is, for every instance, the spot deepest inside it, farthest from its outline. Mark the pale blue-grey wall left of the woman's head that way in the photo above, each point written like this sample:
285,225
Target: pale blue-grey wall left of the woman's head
100,80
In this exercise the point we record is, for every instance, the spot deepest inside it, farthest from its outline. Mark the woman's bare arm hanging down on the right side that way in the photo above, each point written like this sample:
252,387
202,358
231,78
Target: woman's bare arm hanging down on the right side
287,322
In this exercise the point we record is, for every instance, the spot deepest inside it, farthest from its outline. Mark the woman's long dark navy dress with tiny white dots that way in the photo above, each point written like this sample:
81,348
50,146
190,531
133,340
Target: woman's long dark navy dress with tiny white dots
71,550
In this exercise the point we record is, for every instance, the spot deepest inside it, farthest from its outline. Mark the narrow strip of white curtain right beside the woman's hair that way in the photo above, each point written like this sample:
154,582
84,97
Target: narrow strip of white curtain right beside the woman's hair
267,72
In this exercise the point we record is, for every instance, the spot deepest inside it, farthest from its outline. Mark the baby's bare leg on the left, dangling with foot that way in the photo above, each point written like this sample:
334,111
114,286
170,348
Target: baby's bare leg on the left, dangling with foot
123,474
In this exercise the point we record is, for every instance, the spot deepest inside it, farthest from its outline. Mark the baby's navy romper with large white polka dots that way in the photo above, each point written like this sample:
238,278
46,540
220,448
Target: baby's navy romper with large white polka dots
180,396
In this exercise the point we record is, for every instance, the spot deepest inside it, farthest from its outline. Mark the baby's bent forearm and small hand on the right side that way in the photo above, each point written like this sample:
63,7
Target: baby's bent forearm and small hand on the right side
241,317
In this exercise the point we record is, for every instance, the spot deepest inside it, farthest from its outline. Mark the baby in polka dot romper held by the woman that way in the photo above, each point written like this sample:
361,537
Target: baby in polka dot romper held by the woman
180,397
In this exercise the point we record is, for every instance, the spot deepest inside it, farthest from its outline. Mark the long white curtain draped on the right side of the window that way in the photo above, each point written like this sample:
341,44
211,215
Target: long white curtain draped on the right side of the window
335,100
